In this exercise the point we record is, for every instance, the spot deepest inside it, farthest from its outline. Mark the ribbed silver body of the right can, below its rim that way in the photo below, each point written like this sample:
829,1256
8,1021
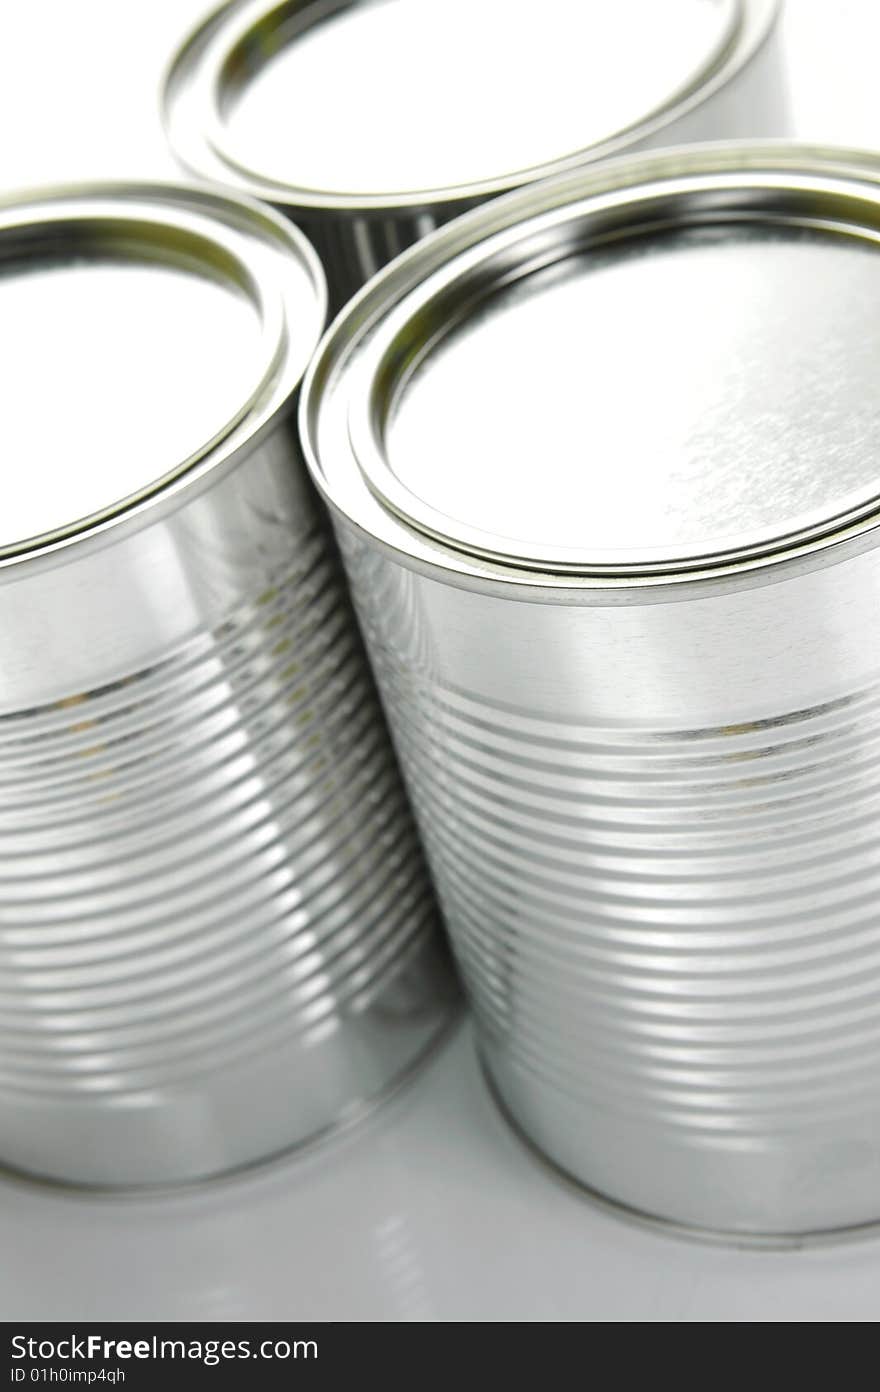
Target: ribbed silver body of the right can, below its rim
665,908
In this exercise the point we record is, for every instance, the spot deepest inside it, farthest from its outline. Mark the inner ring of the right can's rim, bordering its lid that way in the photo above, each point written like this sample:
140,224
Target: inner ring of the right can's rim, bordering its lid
452,293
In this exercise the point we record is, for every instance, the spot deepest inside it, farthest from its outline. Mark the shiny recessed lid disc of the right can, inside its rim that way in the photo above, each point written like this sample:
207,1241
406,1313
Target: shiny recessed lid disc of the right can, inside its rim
771,325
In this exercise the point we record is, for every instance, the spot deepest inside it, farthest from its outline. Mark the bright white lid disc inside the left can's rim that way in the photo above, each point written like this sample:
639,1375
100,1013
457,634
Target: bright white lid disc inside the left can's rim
91,308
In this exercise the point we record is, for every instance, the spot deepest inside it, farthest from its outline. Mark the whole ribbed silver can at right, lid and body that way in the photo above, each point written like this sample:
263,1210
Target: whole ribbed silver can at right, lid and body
605,459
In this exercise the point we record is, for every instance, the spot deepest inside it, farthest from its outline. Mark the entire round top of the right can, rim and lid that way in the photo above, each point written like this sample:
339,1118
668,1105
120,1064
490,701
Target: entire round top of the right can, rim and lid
655,371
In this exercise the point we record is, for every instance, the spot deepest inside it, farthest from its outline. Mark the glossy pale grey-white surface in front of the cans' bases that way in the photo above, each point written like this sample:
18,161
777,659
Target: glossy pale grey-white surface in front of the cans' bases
430,1212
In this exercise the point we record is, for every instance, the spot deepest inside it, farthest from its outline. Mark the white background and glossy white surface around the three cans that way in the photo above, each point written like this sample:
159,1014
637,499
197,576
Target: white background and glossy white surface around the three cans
432,1210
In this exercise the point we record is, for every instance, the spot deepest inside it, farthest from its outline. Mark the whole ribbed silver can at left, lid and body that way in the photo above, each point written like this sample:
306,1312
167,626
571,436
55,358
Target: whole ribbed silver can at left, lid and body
217,938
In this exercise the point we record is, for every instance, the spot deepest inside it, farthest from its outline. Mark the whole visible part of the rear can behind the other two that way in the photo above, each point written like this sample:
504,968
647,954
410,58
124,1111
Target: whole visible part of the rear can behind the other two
372,123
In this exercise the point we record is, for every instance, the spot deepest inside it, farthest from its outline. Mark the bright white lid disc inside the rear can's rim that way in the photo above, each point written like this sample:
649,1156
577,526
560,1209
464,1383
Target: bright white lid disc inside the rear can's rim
591,72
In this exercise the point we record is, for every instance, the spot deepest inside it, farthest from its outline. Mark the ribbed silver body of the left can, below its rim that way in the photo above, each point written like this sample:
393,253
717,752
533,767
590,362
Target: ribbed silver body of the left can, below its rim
218,938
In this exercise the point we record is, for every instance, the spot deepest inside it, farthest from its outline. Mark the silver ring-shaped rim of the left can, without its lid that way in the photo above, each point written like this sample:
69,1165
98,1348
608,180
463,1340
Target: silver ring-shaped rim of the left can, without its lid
236,240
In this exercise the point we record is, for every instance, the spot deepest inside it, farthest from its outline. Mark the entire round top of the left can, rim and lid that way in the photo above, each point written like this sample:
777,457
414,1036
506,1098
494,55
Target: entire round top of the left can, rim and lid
147,333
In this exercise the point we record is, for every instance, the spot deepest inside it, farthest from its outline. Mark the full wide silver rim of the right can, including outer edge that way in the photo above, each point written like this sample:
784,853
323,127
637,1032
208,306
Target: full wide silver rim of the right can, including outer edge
356,484
